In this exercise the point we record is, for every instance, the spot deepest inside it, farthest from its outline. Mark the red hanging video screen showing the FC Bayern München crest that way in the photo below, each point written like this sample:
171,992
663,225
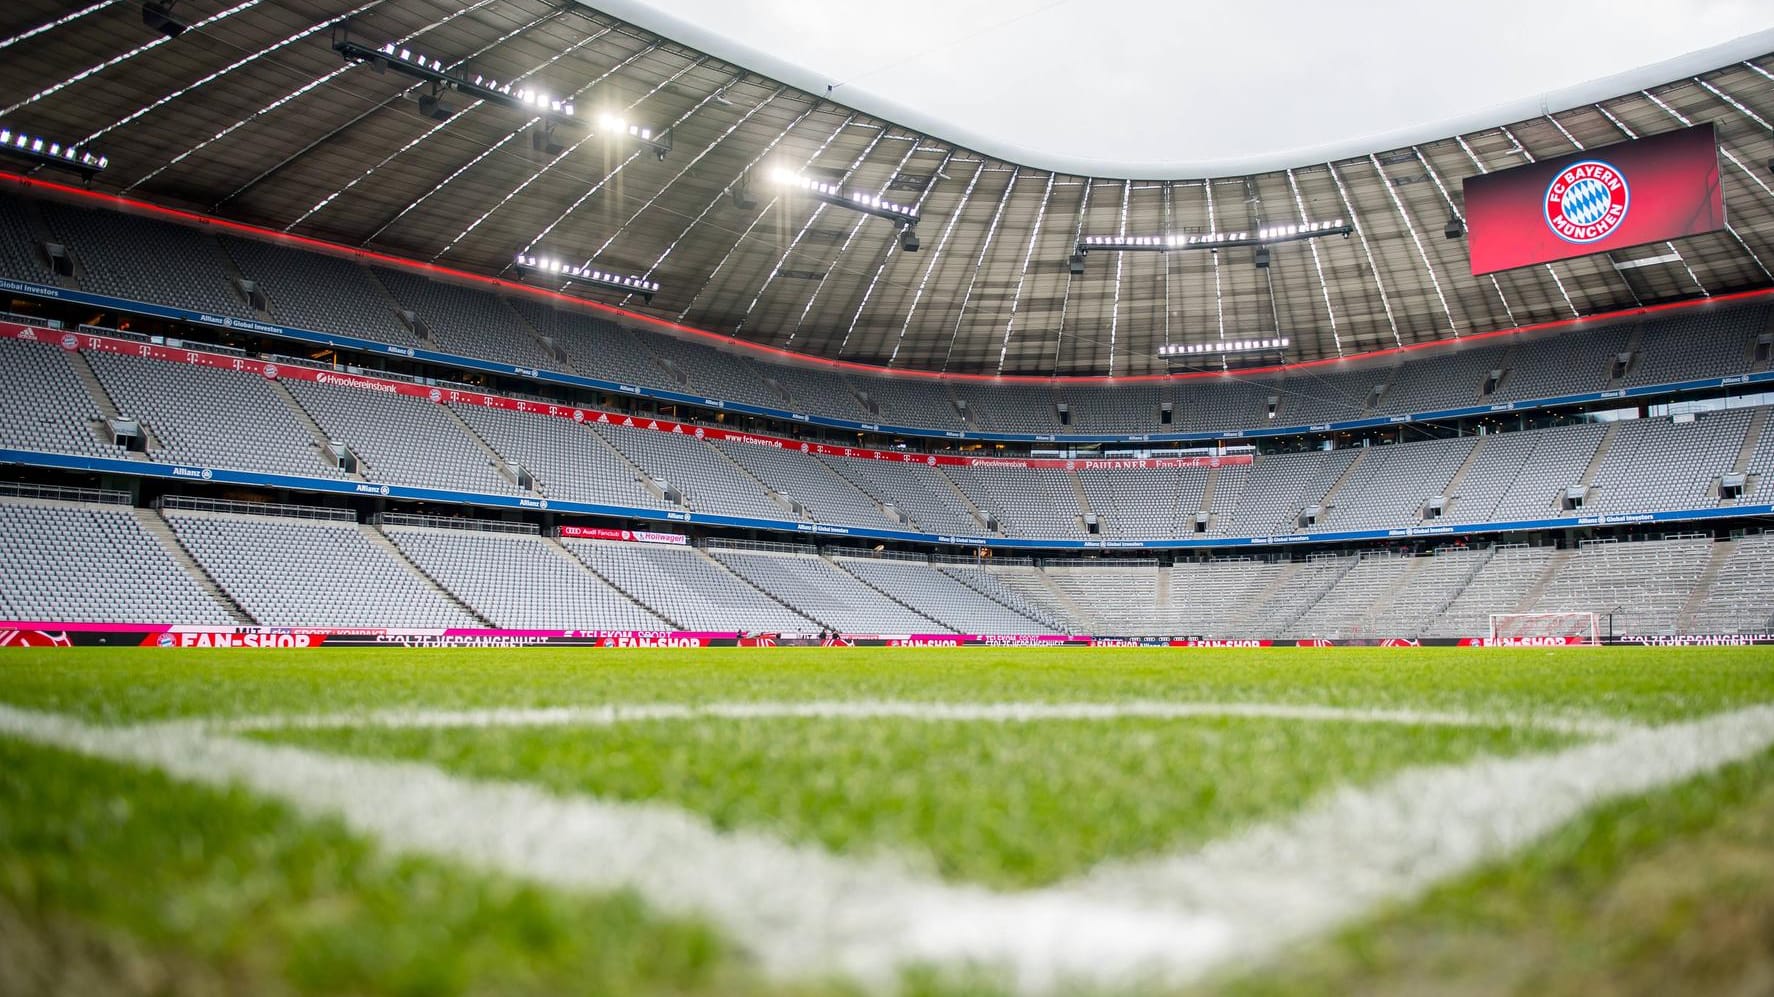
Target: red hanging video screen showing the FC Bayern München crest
1596,201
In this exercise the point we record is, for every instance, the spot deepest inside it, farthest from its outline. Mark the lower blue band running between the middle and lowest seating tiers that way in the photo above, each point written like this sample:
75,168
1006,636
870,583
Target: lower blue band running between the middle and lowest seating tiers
475,499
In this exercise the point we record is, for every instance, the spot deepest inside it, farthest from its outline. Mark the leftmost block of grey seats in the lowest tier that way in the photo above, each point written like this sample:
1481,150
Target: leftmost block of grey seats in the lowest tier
93,565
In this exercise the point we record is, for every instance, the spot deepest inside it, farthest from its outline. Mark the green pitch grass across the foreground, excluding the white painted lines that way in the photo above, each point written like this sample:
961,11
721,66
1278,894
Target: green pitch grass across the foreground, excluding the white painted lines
221,891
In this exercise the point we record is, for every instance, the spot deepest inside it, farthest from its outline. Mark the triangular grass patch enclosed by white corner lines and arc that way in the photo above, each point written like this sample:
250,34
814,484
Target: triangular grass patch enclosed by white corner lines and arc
1005,805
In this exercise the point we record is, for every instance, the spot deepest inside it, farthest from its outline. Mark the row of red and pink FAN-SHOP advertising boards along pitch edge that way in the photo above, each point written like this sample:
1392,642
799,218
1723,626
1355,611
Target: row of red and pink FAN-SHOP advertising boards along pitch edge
45,634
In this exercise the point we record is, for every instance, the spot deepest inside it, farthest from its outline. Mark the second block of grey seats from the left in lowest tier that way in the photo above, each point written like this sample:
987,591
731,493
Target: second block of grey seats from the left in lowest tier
311,574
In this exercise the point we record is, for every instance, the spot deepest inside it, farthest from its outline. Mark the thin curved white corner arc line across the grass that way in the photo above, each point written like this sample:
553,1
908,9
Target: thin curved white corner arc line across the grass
914,710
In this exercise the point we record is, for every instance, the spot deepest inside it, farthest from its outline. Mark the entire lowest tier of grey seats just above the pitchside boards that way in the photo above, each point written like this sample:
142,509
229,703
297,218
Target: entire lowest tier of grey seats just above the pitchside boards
109,563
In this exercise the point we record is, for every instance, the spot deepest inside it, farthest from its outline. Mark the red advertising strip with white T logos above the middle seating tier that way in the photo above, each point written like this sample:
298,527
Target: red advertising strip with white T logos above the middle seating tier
577,414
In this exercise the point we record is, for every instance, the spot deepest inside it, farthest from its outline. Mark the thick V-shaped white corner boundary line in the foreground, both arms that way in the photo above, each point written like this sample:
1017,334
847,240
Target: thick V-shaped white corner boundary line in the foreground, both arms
803,911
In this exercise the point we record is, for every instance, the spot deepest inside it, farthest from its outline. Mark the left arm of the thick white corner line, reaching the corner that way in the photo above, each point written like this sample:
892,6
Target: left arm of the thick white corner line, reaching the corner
797,909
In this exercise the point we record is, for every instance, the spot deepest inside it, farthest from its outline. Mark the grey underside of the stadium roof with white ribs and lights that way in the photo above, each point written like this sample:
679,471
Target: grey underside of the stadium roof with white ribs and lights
253,114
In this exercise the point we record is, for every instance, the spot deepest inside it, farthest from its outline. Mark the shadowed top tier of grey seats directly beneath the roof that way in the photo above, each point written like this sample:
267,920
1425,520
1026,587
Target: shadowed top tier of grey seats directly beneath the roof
129,256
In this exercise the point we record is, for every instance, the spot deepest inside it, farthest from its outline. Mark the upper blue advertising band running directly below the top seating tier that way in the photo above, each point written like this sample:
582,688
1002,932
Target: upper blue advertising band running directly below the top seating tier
806,420
